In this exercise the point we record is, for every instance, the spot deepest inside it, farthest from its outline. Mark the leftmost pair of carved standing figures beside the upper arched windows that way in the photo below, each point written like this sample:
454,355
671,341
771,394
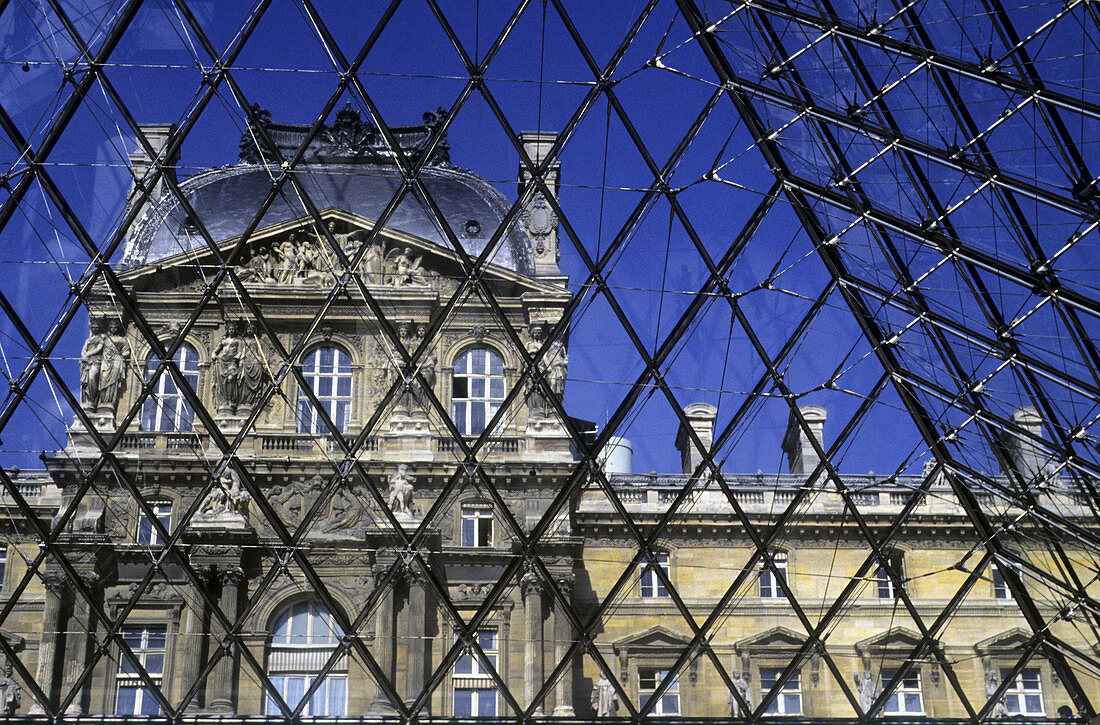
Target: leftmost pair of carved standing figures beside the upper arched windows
104,364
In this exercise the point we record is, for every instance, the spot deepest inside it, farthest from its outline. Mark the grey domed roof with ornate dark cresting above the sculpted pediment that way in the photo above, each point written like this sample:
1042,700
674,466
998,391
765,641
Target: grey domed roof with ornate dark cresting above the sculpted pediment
345,170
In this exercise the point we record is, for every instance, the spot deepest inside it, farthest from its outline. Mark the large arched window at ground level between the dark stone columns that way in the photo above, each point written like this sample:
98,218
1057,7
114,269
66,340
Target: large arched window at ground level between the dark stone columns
303,640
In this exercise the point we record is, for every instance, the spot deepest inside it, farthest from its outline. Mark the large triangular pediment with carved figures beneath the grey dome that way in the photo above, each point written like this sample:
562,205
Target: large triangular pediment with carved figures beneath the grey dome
298,256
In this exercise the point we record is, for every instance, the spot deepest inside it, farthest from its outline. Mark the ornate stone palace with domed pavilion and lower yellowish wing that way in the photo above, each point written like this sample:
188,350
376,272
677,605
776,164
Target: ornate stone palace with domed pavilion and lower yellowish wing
334,489
